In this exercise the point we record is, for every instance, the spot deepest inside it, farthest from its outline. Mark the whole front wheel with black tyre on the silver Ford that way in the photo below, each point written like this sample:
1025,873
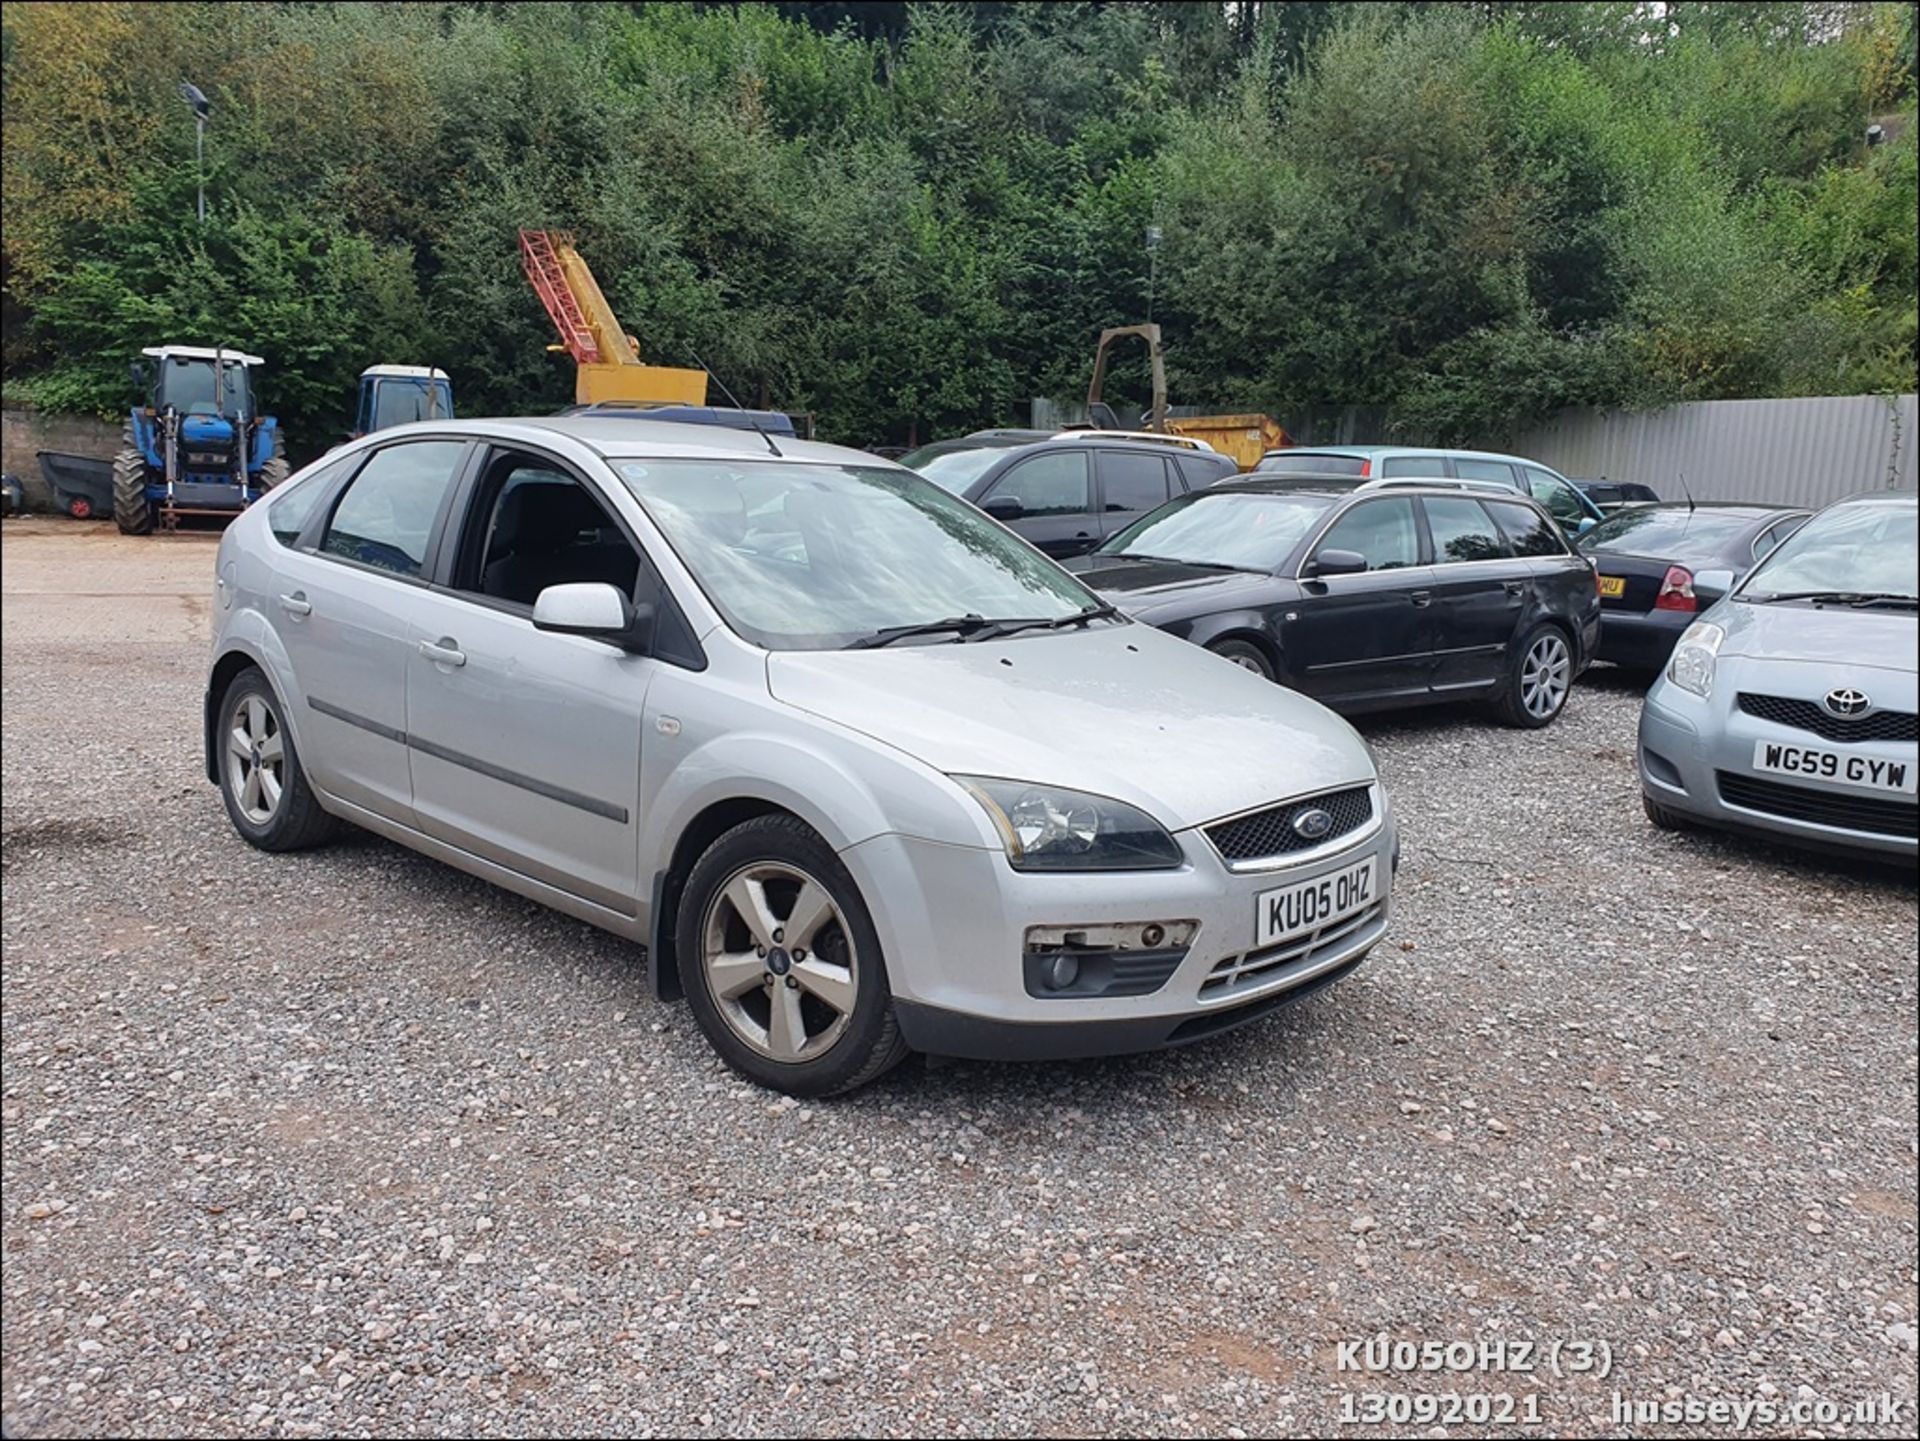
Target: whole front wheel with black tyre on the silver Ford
780,962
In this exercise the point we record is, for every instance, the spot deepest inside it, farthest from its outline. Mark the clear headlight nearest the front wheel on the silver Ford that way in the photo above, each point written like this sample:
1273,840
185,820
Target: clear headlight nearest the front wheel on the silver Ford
1049,830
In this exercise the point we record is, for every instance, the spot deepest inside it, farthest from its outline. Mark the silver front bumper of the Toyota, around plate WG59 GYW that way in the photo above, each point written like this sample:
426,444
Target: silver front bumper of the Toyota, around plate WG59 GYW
1687,745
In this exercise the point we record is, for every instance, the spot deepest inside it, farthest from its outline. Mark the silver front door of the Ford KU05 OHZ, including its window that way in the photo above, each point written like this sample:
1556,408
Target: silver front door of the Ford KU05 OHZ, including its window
527,745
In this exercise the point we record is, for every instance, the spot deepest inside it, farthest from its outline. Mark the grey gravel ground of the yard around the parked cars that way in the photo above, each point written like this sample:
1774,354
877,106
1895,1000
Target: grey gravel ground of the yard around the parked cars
348,1143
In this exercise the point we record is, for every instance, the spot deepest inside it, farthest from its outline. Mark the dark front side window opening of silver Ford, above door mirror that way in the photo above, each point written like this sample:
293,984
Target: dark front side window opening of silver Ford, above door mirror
546,529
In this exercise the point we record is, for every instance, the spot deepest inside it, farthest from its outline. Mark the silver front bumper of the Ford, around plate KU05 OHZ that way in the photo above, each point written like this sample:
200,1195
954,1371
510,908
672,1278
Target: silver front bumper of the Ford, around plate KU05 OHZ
953,922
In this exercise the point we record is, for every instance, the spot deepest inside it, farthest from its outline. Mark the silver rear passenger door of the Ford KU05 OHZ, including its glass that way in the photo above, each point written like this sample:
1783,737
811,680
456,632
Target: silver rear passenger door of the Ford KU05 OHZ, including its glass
343,609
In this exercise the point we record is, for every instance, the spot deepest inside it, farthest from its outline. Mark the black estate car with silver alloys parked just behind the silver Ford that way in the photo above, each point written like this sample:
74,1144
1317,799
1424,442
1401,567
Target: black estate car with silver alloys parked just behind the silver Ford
1366,596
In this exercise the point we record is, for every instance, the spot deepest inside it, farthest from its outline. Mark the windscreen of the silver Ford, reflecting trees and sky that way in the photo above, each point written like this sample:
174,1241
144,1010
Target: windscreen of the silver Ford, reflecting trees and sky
813,557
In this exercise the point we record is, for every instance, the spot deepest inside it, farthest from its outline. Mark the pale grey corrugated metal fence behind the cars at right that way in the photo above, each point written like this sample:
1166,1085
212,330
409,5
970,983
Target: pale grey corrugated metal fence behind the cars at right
1800,452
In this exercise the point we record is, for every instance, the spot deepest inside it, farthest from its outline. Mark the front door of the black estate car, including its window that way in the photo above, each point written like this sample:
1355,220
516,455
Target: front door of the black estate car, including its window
1366,640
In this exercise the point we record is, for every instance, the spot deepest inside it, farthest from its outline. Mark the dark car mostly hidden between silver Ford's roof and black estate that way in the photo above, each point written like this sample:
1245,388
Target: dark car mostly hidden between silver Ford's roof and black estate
1070,492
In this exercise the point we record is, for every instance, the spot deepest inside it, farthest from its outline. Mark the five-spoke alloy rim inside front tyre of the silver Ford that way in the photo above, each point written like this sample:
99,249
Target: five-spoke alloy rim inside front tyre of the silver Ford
779,962
